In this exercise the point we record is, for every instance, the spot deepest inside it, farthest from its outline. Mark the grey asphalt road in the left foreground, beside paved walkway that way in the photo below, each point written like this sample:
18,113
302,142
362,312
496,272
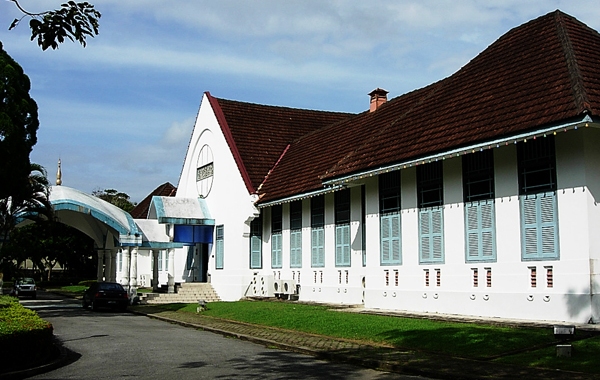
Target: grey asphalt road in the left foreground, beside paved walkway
109,345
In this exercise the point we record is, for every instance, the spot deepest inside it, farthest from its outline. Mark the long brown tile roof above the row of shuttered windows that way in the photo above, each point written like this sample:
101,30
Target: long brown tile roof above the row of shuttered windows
542,72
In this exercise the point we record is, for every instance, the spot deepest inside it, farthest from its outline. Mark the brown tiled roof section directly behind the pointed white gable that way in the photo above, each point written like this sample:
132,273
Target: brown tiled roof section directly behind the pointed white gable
258,135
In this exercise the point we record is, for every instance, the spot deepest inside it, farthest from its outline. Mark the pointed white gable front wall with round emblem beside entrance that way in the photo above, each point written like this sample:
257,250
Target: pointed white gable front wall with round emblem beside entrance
229,203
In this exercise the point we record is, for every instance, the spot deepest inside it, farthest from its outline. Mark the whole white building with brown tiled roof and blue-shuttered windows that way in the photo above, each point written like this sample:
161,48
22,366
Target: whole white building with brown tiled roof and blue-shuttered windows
476,195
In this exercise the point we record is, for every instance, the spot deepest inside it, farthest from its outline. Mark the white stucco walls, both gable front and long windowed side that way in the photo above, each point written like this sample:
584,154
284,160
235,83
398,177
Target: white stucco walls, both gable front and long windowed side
510,295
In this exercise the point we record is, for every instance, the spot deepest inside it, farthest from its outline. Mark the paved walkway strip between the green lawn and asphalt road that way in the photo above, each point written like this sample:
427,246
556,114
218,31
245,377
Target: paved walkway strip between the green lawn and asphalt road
378,356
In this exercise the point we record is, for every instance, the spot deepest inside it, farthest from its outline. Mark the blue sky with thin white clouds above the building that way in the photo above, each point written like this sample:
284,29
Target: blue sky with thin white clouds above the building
119,112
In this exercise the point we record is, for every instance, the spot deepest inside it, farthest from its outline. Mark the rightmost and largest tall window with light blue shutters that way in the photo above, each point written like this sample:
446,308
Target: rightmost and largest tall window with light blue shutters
538,203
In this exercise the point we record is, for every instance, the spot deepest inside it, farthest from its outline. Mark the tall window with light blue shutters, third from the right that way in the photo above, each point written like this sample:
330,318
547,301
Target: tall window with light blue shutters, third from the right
431,215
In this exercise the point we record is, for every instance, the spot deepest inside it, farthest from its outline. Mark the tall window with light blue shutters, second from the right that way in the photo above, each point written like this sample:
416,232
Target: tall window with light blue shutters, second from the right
478,195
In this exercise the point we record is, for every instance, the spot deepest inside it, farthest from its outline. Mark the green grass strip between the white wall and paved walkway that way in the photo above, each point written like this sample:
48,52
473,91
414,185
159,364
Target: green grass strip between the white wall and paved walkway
449,338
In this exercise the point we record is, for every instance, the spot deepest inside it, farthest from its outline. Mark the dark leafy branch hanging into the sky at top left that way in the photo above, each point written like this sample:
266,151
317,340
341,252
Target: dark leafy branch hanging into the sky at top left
75,21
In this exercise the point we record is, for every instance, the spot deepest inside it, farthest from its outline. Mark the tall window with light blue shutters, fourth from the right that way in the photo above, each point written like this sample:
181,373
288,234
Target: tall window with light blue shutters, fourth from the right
389,218
